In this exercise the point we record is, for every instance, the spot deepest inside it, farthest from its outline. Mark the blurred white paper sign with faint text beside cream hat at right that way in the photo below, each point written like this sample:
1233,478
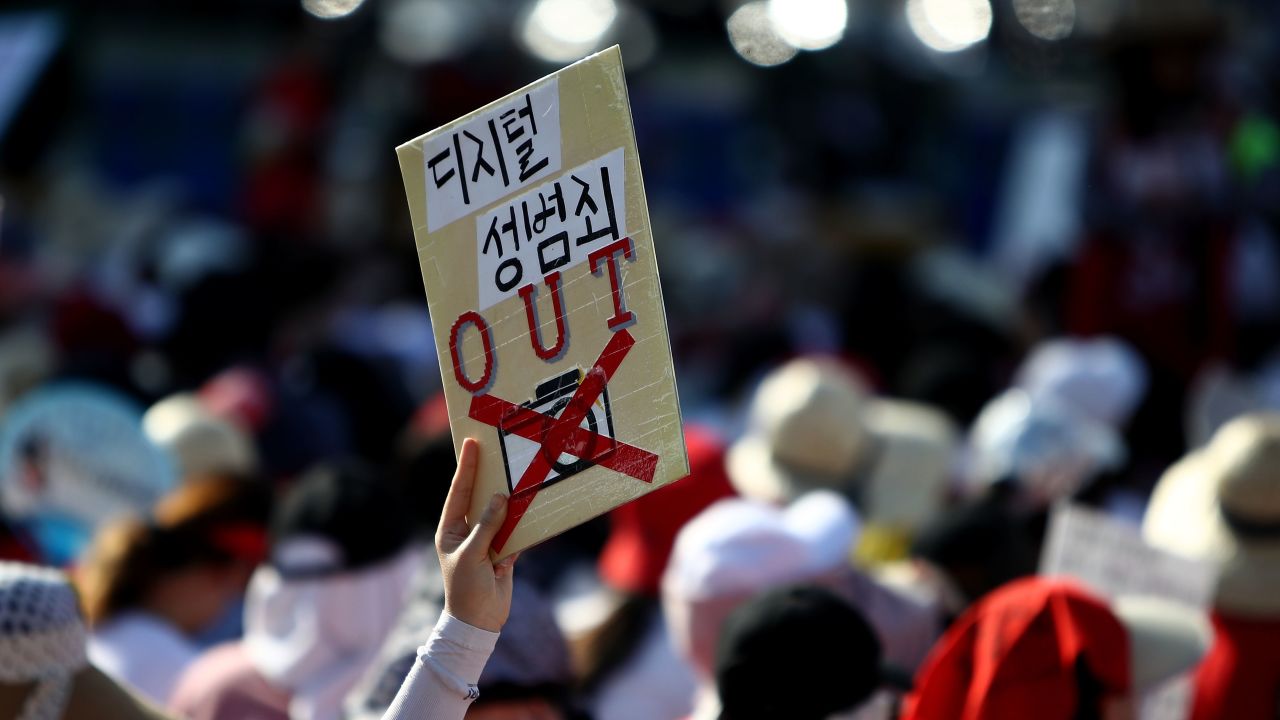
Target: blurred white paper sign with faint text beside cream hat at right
1113,559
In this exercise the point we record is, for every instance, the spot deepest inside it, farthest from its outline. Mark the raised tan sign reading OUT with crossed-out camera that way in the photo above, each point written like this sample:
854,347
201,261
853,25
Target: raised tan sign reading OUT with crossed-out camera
533,236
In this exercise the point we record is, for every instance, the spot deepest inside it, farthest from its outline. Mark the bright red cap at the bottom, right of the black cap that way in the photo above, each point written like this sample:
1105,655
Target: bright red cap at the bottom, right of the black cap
1014,655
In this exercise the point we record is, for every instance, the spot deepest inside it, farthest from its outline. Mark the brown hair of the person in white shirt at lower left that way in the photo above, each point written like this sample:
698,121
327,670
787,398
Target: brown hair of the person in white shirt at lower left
196,525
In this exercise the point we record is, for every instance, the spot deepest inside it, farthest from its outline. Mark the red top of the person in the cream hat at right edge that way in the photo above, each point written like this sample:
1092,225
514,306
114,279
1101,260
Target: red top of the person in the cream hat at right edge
1240,678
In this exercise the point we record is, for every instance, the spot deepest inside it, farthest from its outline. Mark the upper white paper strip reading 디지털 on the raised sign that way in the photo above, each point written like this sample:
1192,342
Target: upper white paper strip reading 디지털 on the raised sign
493,156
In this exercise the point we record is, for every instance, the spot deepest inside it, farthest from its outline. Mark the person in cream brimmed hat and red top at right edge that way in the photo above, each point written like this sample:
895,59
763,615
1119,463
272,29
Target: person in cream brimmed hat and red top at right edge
1222,504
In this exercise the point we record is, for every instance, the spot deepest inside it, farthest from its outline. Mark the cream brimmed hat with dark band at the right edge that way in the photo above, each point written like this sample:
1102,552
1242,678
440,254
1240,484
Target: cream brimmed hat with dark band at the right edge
1223,504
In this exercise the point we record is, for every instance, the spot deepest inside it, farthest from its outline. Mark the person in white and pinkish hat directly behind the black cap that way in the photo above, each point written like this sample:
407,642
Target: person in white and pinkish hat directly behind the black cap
738,549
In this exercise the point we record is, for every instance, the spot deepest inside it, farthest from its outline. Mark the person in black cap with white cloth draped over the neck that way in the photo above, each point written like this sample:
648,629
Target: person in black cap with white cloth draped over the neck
339,569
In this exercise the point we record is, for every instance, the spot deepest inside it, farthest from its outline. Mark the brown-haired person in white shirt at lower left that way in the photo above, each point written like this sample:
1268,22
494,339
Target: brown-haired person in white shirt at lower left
150,587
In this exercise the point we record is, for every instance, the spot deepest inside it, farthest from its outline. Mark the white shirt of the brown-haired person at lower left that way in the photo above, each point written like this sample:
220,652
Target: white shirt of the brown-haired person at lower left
143,651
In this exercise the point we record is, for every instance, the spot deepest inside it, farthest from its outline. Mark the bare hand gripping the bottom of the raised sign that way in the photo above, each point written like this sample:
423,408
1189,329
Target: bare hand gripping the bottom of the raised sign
477,591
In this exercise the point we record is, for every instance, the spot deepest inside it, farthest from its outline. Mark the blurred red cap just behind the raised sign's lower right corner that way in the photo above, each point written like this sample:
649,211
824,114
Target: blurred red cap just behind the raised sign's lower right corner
644,530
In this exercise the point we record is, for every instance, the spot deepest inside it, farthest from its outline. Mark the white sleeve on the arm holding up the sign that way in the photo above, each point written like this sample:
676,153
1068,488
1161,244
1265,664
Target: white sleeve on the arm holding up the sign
442,683
